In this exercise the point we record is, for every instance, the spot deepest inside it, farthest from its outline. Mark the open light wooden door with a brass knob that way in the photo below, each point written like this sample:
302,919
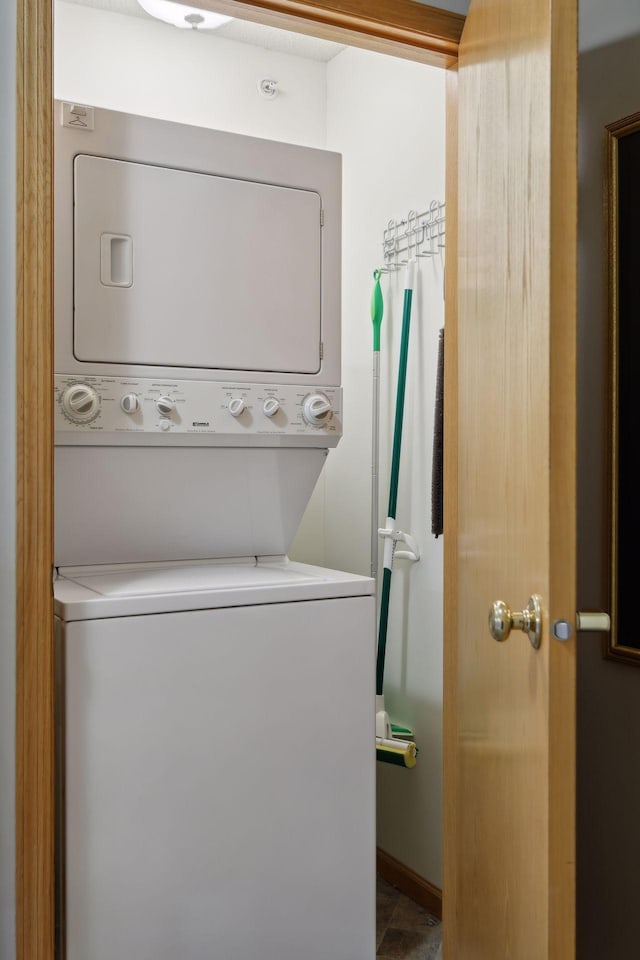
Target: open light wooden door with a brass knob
509,884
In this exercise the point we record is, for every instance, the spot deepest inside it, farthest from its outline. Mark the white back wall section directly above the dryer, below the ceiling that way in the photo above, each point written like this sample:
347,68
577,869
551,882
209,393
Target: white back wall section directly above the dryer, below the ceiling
153,69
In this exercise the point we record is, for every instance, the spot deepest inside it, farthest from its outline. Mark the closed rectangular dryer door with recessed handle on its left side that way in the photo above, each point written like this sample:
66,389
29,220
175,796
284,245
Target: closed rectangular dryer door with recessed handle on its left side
176,268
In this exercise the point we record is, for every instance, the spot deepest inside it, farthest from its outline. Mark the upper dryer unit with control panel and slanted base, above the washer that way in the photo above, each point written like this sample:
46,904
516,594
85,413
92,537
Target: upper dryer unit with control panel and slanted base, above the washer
197,338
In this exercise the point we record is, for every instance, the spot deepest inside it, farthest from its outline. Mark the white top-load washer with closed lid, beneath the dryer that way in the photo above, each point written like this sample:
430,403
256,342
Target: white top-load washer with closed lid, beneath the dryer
217,762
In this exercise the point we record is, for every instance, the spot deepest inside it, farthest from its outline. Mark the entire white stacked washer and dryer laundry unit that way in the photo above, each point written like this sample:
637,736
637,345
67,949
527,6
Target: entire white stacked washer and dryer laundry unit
216,728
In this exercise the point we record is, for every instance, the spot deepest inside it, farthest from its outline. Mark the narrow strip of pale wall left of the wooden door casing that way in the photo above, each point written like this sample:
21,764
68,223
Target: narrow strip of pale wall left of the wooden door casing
7,479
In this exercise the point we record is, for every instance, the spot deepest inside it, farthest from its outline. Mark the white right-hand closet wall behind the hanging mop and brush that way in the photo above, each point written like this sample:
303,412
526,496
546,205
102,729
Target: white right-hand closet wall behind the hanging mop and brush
387,118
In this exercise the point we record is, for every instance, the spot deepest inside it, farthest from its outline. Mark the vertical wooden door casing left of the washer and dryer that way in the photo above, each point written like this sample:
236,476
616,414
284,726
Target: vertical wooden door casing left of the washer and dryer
34,506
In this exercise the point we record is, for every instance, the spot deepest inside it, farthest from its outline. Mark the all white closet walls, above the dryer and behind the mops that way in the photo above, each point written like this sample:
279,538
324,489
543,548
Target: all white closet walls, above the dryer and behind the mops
386,116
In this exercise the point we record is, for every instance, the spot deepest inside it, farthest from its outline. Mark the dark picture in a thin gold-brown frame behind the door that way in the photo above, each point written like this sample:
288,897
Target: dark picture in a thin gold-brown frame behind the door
624,299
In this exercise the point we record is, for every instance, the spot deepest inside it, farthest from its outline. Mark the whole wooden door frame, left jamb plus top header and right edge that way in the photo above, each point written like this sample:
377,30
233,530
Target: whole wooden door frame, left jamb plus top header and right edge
399,27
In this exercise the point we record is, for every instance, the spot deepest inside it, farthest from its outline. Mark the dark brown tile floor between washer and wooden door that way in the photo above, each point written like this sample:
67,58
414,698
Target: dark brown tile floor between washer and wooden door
404,930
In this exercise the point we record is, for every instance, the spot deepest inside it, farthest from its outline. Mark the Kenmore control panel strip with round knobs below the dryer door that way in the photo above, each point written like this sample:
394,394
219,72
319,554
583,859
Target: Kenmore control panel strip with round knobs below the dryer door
119,410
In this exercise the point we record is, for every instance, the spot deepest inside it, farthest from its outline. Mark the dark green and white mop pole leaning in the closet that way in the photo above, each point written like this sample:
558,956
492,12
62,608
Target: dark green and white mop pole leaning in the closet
395,473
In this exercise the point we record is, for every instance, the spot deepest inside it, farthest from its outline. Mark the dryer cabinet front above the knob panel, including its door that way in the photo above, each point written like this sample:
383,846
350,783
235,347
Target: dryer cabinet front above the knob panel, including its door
189,253
